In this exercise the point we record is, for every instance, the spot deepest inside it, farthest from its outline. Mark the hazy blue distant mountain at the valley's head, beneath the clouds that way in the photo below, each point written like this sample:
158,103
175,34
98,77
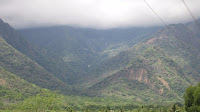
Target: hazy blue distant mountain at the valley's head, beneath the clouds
84,49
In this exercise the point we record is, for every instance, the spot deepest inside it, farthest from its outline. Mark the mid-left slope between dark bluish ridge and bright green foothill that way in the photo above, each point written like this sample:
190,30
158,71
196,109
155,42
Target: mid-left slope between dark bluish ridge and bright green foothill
13,61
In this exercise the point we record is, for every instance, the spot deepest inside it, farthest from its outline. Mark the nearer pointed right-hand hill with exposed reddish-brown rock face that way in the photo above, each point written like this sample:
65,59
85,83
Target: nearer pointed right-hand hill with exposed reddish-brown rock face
151,85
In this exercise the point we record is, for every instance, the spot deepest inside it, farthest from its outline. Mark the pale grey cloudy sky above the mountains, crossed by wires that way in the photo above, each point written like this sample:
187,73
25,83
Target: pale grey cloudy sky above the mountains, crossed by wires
95,13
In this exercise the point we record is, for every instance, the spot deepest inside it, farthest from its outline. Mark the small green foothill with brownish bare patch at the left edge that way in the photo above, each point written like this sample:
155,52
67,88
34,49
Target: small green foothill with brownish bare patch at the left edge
13,88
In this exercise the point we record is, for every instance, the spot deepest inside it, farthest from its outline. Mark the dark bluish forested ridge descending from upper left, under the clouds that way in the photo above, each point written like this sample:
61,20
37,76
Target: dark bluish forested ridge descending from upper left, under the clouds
51,62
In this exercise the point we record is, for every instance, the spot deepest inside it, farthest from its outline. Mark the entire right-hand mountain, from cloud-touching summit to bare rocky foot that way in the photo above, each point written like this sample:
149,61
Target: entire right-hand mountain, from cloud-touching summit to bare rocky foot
158,69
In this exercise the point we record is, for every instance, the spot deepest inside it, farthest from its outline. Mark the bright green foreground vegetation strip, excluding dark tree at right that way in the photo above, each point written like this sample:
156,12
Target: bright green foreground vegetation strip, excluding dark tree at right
18,95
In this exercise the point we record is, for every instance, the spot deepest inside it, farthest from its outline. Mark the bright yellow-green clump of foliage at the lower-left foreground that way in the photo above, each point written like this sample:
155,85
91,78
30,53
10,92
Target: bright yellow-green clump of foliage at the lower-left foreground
42,102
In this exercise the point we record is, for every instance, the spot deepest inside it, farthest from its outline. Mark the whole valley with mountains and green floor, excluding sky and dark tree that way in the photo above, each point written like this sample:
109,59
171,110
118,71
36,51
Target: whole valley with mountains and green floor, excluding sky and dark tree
74,68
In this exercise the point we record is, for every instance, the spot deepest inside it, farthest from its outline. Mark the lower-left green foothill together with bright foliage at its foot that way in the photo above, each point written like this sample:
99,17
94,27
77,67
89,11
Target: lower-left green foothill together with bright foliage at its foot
18,95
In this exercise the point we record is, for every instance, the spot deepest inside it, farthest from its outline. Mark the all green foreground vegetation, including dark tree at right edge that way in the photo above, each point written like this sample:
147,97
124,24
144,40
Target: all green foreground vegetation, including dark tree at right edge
45,100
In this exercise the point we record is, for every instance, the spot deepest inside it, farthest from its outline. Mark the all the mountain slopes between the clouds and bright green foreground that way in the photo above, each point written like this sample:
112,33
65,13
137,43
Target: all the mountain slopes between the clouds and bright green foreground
124,64
